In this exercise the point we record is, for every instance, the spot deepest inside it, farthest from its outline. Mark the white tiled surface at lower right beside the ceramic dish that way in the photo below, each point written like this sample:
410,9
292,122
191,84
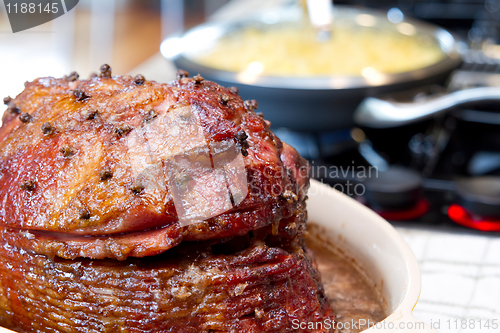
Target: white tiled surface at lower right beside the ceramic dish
460,279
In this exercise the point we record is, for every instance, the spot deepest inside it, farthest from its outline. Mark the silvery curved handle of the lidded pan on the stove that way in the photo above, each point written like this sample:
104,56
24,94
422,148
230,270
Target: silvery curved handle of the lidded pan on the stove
377,113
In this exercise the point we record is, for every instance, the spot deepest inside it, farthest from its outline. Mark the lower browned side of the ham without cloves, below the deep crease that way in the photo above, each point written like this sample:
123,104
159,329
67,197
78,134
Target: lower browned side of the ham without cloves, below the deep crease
244,284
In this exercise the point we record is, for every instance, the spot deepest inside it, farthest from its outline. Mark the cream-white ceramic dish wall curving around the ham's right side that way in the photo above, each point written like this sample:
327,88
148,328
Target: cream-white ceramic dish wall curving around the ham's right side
378,248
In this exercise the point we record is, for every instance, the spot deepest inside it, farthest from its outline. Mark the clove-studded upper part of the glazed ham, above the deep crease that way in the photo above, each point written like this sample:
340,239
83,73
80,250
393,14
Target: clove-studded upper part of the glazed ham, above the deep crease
85,166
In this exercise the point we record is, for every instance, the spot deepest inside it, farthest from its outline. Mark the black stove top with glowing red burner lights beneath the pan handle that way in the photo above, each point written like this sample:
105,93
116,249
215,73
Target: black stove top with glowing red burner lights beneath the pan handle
441,173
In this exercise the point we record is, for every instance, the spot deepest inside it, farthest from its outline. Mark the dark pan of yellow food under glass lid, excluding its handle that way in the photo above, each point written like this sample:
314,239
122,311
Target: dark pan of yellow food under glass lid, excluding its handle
304,83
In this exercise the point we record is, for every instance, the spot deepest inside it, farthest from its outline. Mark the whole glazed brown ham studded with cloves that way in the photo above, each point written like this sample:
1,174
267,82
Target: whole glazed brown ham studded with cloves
127,205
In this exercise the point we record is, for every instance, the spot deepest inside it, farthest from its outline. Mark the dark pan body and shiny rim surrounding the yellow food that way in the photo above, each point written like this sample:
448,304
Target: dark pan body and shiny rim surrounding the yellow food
310,103
